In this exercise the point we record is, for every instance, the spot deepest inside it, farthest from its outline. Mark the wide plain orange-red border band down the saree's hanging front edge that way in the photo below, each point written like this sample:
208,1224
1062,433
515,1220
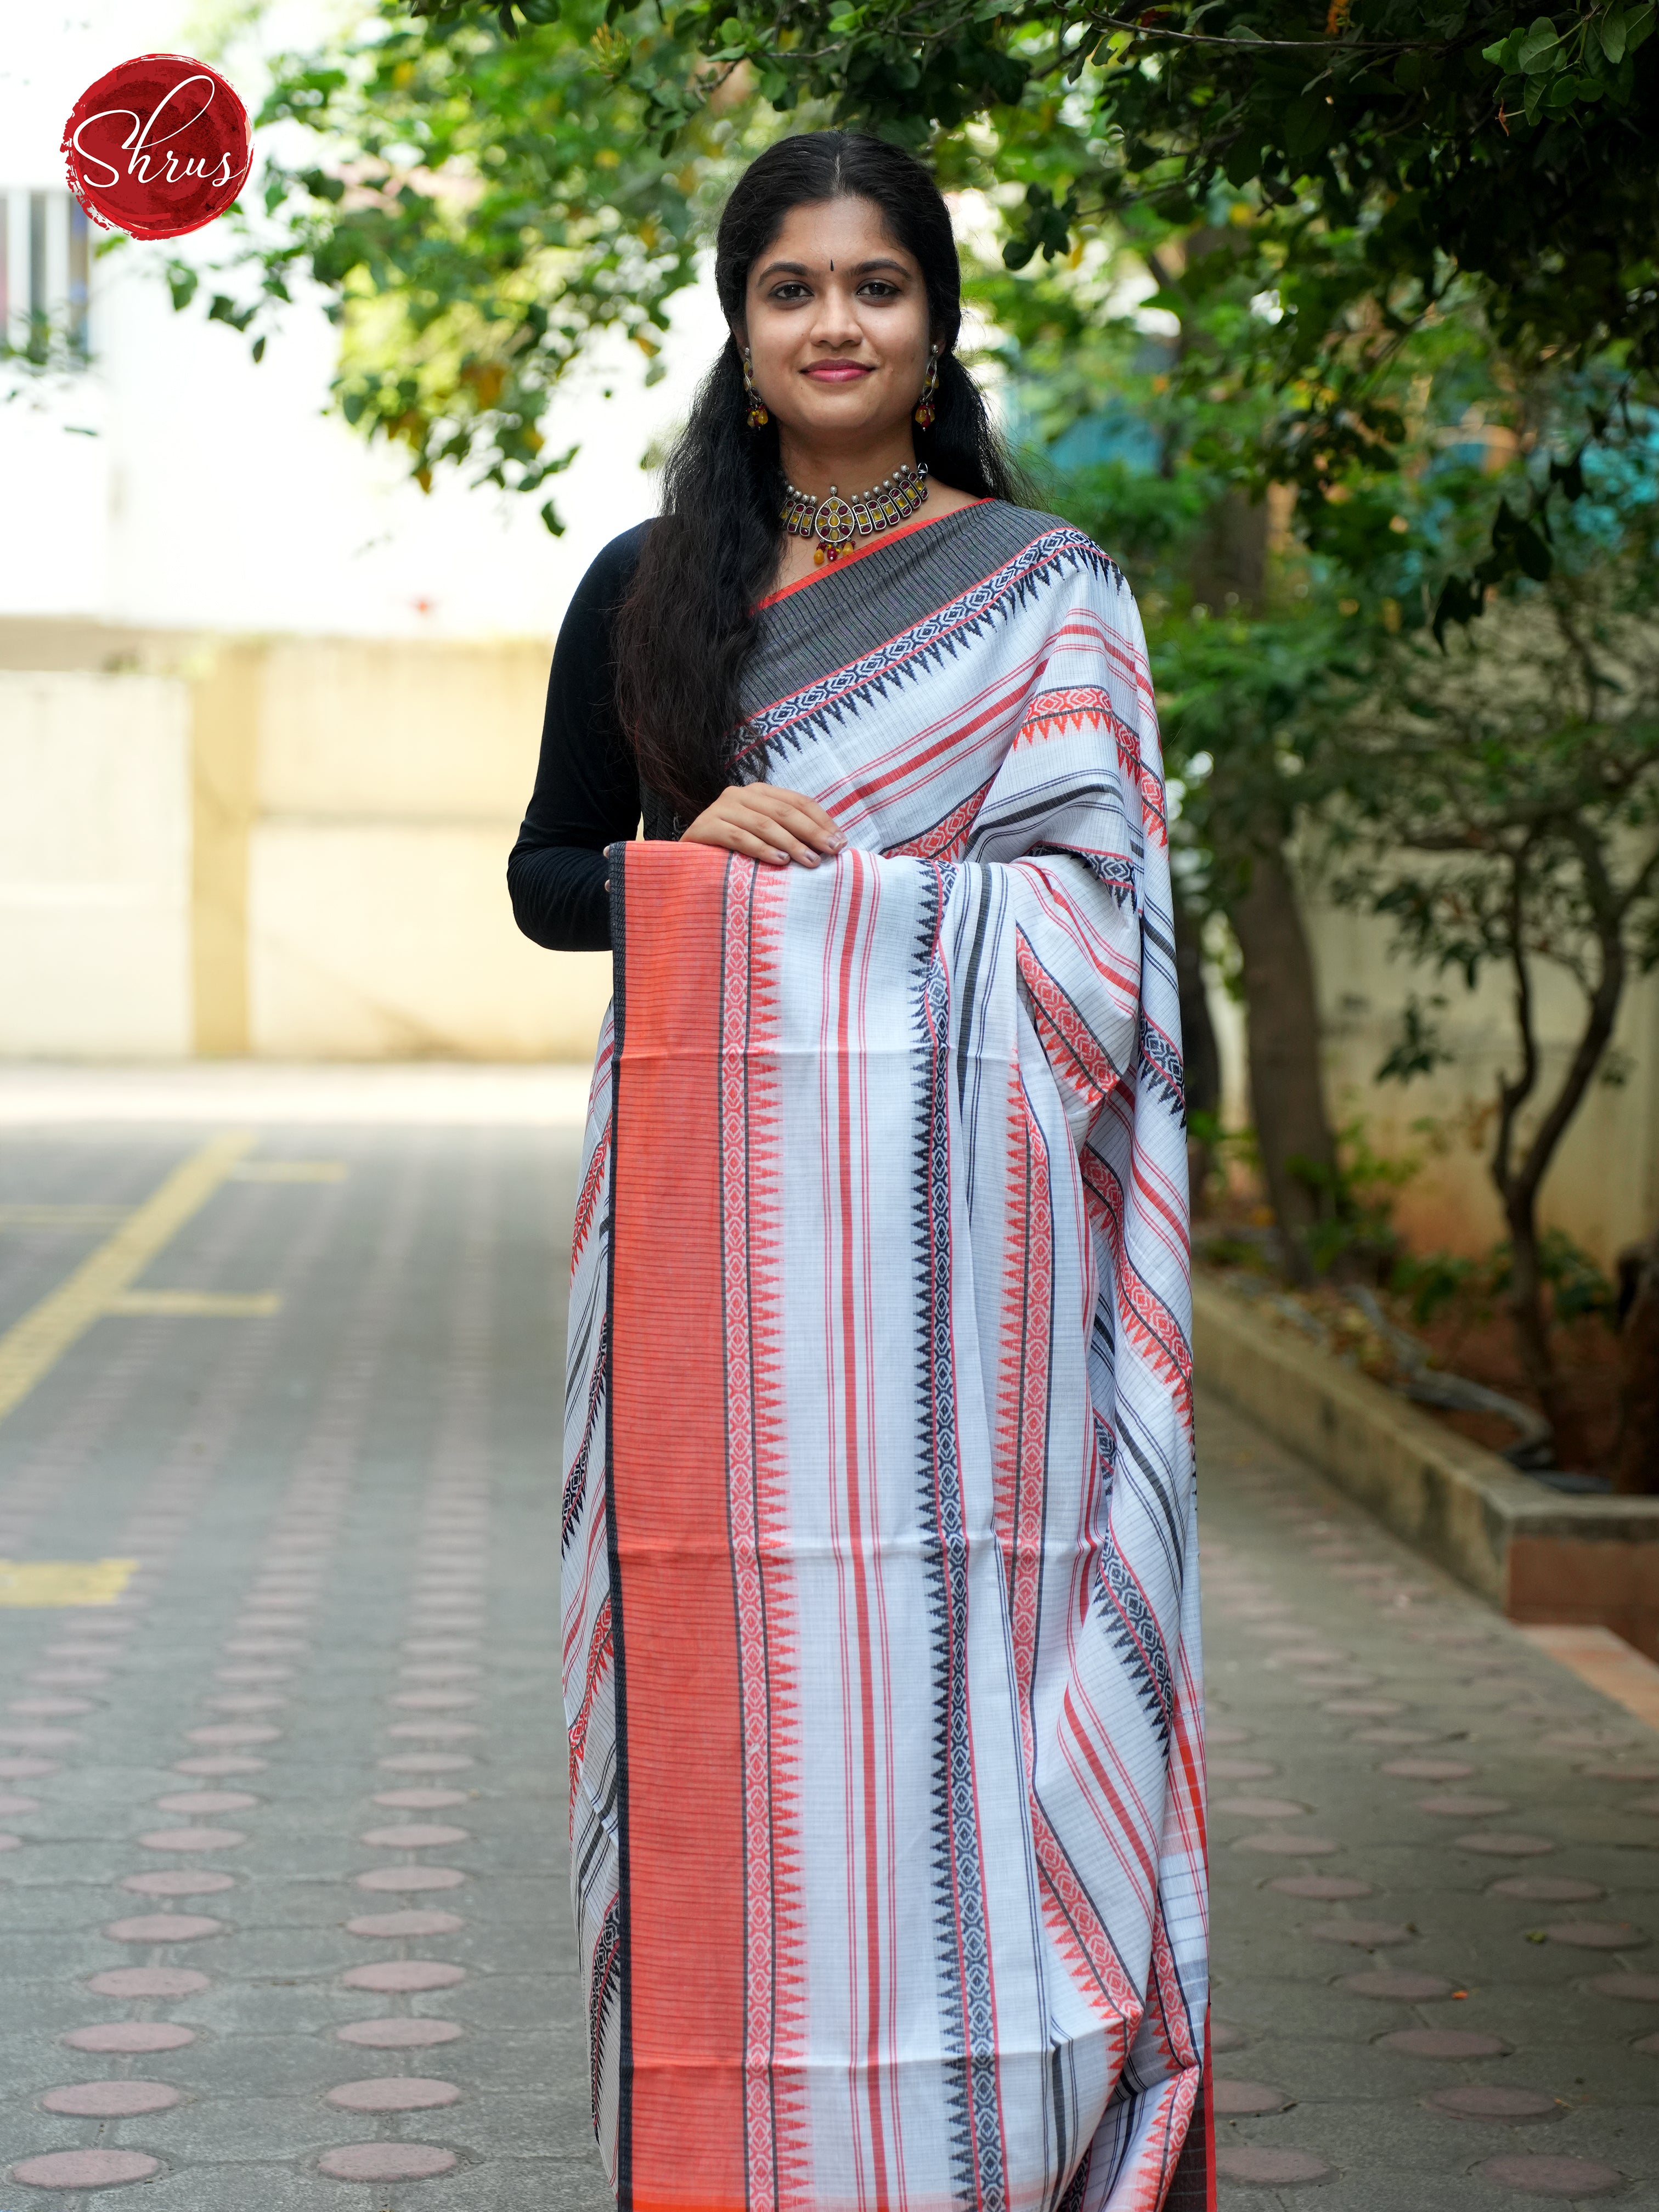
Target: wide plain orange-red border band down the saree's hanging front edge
680,2111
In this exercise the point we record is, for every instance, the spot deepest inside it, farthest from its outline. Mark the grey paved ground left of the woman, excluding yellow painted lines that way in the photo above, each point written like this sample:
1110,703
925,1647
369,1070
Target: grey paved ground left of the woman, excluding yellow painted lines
286,1921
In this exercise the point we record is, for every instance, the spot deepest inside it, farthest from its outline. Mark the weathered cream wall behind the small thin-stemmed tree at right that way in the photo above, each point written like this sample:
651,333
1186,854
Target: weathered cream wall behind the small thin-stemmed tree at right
1605,1185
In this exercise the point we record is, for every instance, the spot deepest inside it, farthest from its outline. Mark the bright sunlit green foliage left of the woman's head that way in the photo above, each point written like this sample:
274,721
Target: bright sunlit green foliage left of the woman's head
477,211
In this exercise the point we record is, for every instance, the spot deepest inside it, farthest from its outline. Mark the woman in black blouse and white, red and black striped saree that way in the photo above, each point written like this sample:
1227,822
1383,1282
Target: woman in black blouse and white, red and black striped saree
879,1554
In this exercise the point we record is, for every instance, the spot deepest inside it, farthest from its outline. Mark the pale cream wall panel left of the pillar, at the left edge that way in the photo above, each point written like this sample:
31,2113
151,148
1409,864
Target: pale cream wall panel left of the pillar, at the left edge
94,866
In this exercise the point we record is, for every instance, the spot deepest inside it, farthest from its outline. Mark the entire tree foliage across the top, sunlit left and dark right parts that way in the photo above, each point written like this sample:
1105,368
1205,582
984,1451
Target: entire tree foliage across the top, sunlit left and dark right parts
523,174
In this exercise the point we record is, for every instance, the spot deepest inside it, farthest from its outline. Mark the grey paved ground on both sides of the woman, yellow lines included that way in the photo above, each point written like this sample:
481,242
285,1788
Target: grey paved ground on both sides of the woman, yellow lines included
284,1868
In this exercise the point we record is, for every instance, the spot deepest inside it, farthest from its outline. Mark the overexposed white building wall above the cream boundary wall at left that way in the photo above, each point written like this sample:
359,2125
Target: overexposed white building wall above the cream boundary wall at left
225,494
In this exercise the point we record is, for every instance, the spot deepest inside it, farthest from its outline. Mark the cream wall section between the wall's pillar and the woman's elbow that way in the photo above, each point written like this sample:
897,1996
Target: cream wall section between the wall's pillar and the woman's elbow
390,786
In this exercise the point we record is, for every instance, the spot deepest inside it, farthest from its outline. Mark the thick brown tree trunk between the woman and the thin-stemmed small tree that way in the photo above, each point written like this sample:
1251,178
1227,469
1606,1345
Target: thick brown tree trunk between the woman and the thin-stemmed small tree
1286,1092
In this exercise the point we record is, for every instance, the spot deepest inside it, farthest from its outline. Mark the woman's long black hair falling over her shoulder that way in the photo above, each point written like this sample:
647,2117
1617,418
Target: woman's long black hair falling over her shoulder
689,620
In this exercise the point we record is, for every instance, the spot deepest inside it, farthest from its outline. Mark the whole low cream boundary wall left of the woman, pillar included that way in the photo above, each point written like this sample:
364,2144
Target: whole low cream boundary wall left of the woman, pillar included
289,848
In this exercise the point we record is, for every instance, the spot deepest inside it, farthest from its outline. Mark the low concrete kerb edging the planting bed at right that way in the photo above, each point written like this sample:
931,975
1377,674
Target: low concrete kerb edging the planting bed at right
1532,1554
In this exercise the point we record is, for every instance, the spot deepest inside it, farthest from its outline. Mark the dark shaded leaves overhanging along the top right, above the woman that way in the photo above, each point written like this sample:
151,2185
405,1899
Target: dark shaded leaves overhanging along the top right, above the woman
1401,149
